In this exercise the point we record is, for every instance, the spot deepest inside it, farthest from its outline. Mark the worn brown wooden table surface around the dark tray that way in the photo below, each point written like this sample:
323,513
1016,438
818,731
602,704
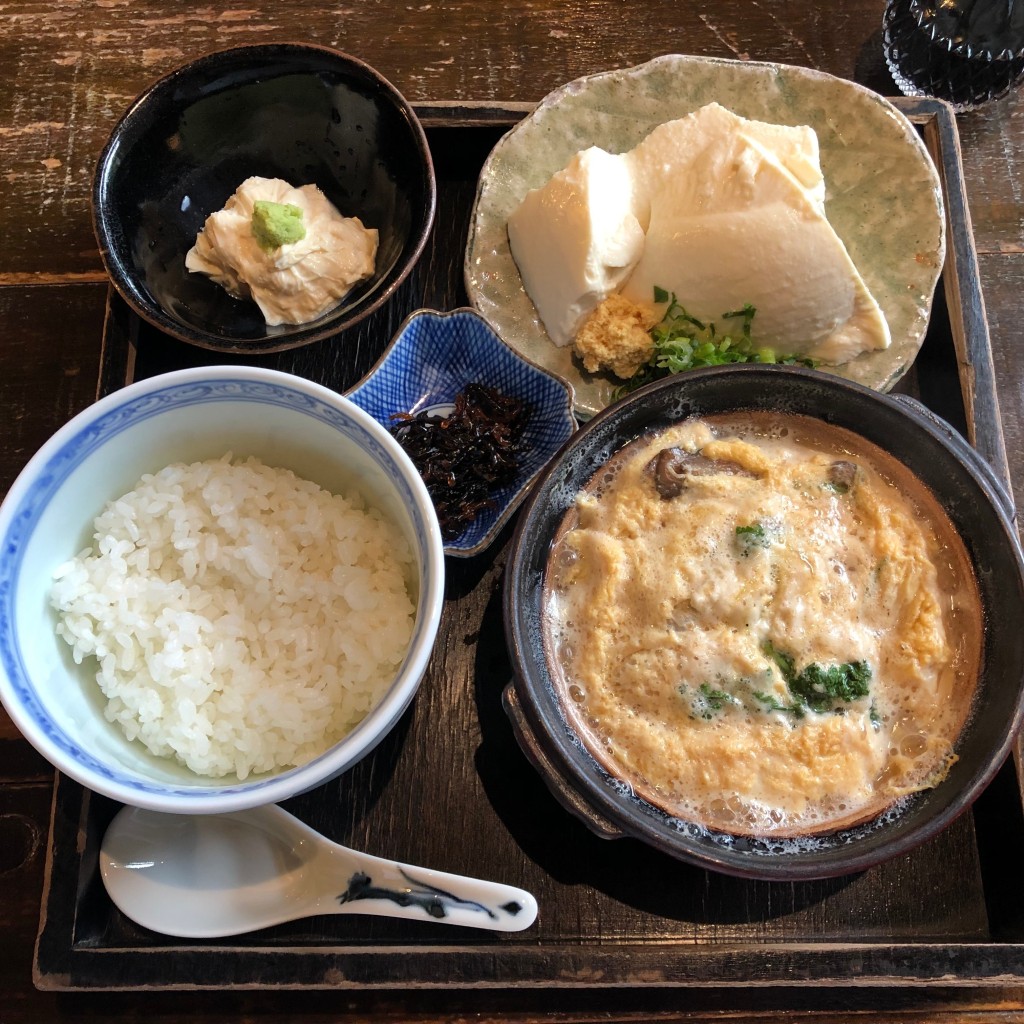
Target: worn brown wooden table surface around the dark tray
68,71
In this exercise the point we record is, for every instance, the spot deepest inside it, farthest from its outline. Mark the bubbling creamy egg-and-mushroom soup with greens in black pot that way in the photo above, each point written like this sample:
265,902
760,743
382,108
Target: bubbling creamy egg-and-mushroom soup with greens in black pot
764,624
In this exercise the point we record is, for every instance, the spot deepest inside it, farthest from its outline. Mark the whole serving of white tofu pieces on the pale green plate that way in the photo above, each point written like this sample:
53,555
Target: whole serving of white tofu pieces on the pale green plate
720,210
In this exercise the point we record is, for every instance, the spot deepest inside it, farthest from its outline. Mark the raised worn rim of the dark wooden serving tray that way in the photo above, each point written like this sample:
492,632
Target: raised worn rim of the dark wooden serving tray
60,967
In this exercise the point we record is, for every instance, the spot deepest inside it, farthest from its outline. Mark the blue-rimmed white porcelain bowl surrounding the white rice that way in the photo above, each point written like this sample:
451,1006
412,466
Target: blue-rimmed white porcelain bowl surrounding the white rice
189,416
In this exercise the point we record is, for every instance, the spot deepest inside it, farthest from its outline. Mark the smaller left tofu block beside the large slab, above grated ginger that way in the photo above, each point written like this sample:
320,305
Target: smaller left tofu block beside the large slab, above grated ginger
576,240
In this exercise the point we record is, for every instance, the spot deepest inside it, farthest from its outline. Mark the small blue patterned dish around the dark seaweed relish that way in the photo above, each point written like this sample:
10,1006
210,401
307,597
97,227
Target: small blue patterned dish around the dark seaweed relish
432,359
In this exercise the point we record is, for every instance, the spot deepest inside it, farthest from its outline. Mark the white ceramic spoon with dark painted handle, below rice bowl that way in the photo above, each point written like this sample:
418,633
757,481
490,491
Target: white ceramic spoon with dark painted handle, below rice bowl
207,876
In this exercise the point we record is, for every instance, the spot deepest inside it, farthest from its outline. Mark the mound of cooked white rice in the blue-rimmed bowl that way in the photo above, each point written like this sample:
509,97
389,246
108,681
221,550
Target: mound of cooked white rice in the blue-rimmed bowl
243,620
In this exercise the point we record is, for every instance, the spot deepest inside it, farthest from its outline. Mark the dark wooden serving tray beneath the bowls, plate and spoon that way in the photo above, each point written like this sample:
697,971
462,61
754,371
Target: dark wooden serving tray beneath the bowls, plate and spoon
450,789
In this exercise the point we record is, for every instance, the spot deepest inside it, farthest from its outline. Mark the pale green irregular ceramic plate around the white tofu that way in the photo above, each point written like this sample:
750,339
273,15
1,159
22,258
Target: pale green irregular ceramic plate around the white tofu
883,194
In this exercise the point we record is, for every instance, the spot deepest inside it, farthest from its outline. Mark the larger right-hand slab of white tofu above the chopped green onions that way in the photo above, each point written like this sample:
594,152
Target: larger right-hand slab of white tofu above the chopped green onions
740,228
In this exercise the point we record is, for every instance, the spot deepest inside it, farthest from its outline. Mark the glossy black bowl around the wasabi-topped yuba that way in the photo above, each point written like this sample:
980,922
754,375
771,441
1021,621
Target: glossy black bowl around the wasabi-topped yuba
306,114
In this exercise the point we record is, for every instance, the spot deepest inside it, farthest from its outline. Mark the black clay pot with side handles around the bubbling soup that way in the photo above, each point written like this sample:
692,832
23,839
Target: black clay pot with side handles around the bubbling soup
975,502
